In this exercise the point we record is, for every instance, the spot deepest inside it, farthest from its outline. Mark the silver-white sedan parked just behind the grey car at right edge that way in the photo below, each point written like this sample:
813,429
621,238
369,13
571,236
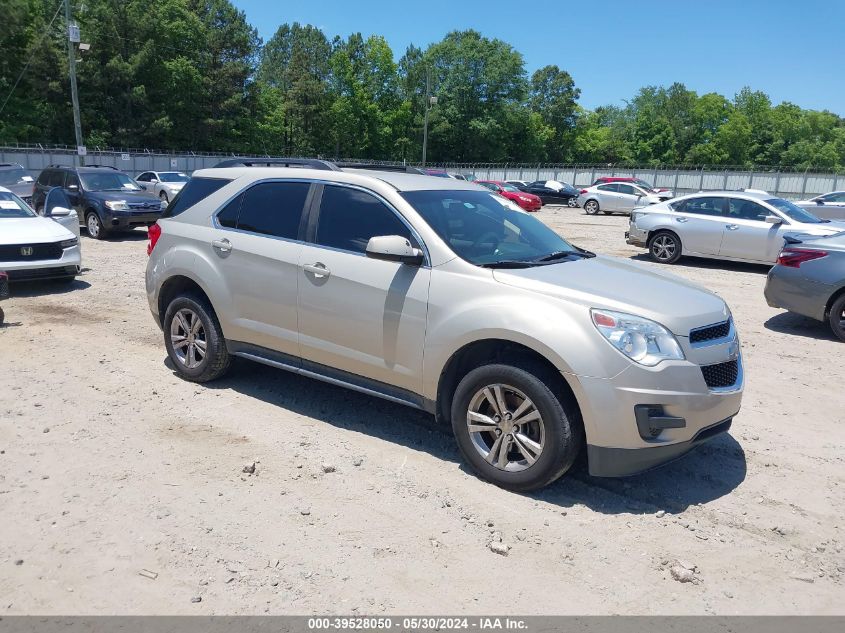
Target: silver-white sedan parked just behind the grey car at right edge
737,226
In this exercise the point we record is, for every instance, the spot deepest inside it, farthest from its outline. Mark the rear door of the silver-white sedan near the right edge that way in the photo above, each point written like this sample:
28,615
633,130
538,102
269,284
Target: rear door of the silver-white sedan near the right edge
700,223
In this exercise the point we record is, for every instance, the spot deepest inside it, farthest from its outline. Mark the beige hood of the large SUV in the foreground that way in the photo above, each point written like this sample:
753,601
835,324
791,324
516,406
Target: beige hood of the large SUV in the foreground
617,284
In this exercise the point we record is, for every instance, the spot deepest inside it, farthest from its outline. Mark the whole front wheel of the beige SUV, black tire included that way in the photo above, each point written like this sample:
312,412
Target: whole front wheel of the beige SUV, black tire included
512,427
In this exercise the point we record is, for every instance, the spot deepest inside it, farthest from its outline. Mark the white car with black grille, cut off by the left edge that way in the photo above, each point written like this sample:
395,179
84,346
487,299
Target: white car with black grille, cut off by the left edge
36,247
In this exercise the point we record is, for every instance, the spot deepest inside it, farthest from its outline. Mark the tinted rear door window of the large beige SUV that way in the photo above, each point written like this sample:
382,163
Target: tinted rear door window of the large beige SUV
273,208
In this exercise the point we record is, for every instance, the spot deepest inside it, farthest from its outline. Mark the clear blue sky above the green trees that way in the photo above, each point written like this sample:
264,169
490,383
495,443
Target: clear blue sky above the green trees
794,50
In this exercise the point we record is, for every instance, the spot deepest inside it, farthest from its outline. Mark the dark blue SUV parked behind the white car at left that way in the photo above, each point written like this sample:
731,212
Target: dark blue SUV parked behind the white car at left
105,198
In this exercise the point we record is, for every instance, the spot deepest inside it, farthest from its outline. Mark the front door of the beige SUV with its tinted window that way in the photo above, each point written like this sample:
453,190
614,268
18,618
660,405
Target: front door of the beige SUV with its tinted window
361,315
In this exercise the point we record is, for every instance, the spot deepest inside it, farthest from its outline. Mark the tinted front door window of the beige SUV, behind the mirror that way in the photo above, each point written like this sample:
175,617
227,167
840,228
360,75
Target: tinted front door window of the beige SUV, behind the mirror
350,217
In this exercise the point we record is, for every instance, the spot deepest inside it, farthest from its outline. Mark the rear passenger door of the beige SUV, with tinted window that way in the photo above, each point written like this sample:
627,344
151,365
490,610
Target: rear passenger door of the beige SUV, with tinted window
256,246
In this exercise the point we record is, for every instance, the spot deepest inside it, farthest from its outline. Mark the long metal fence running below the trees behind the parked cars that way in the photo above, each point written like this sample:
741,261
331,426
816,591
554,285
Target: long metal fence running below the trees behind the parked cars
785,182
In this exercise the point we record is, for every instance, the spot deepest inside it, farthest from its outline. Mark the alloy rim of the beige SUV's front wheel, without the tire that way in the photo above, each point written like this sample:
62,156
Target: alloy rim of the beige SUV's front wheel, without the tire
505,427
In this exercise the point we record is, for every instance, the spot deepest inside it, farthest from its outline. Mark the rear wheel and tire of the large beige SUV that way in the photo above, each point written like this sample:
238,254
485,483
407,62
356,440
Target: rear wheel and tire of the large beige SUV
194,339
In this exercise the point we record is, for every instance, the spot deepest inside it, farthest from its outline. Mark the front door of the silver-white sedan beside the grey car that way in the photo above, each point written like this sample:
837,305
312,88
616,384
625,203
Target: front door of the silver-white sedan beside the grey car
747,234
